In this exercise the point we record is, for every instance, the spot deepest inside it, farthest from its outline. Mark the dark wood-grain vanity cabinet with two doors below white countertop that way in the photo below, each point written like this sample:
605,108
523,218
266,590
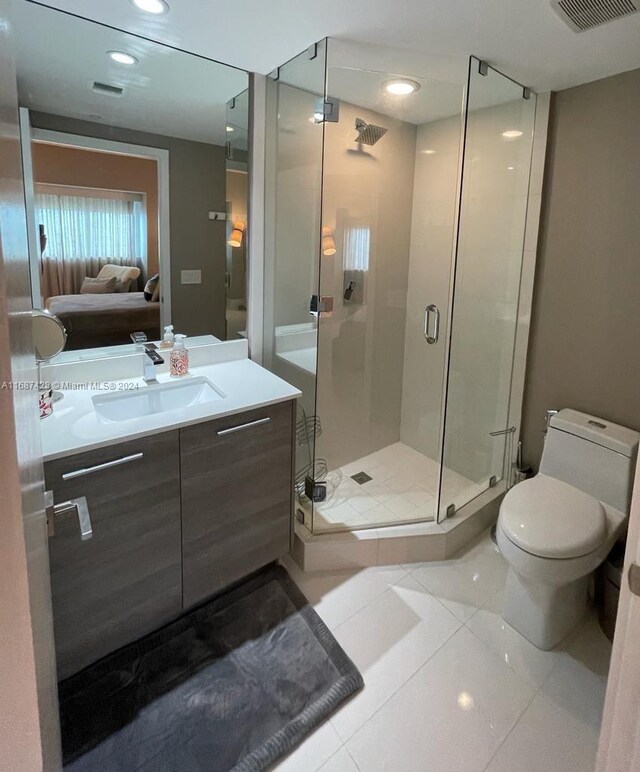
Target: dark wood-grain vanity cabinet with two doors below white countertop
176,517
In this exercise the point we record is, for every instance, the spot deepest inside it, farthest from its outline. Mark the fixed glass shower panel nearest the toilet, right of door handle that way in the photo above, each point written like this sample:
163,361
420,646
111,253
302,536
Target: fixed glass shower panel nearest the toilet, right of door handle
477,440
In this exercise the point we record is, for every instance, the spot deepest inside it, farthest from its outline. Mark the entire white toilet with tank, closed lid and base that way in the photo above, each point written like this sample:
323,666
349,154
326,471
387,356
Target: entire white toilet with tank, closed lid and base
555,529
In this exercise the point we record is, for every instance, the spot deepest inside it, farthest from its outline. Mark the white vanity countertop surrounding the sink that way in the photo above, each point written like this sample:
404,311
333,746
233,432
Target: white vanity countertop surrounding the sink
75,427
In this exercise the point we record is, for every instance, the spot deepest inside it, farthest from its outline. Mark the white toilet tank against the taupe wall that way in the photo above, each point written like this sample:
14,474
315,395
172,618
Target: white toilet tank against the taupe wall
594,455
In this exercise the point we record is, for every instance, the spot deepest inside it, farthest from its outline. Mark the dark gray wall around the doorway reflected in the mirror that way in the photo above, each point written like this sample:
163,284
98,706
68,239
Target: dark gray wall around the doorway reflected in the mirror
197,186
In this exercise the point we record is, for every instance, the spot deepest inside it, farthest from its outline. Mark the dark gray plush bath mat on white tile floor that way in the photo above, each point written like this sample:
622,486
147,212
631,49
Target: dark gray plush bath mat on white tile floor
233,685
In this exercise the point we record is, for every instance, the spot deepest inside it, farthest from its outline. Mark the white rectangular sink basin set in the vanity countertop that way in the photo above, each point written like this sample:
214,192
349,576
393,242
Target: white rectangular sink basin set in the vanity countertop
151,400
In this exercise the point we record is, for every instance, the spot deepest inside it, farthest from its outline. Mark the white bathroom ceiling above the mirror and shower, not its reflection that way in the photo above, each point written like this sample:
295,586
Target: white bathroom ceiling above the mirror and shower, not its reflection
524,38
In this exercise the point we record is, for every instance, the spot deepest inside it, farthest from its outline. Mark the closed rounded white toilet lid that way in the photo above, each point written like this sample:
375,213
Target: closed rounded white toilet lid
551,519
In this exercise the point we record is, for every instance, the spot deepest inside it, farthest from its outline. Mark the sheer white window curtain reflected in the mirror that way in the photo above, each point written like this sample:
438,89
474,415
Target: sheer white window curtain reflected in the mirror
86,232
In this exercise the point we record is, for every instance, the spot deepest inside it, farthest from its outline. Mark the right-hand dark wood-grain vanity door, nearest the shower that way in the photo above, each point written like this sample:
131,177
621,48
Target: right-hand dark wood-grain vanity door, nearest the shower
236,497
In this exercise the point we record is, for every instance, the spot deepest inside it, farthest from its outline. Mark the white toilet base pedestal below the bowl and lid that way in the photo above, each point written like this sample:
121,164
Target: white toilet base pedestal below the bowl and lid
544,614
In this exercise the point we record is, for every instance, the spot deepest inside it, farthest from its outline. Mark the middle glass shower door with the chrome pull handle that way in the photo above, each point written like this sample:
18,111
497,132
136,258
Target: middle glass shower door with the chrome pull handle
389,198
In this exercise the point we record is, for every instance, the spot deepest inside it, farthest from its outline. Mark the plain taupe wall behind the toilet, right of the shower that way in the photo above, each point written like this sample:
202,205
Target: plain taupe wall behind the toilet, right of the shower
585,336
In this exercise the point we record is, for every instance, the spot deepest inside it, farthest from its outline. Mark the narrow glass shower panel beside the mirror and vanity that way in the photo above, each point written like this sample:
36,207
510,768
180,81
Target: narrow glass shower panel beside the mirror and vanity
295,132
